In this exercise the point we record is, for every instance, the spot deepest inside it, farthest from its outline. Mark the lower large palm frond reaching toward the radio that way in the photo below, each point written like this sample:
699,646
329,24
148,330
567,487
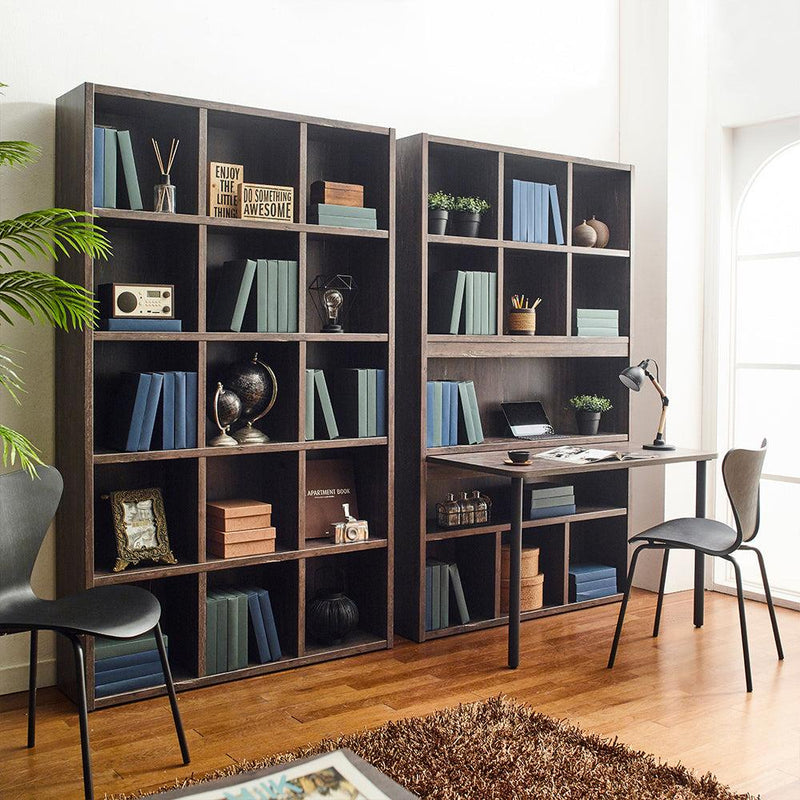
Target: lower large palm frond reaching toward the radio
38,297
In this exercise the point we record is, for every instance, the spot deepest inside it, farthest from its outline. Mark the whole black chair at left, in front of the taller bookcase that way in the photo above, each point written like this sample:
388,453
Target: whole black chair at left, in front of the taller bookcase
27,506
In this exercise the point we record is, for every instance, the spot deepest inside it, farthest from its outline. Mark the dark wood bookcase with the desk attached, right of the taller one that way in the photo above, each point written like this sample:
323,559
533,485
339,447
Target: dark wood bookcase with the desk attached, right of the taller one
551,367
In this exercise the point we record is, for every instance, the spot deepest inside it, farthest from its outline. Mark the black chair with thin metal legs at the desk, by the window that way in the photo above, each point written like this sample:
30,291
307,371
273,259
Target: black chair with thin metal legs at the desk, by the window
741,471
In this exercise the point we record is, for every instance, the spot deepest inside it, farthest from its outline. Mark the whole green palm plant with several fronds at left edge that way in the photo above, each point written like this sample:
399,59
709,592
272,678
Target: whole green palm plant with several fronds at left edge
34,296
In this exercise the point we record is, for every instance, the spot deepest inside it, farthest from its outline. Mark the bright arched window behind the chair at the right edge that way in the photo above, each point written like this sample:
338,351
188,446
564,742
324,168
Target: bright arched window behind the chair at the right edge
765,362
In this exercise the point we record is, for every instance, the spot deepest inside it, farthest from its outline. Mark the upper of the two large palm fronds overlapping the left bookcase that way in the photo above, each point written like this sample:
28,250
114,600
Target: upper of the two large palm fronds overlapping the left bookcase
51,232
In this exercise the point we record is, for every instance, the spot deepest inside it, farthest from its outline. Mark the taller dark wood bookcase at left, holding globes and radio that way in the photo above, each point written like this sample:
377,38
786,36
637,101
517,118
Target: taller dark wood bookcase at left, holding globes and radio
189,249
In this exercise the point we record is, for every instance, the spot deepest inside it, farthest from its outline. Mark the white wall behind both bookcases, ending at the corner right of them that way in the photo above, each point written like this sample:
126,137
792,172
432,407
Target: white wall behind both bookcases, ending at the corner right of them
535,74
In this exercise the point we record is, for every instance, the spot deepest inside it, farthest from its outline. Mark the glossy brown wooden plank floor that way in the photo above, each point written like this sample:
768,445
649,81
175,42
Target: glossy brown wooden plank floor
681,697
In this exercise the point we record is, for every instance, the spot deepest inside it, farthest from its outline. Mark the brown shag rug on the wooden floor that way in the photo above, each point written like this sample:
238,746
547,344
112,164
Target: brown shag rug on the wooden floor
503,749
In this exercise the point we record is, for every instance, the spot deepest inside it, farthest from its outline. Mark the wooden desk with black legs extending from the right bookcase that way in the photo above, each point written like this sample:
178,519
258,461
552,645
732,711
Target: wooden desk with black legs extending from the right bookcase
540,469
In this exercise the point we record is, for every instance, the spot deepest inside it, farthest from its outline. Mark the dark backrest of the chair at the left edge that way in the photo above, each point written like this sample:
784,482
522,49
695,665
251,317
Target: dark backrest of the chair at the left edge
27,507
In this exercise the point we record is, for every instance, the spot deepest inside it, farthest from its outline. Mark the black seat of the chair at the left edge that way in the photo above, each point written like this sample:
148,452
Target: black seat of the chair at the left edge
120,612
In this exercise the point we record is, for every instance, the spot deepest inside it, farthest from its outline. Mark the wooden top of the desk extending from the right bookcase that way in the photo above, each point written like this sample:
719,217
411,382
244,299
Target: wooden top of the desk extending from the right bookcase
493,462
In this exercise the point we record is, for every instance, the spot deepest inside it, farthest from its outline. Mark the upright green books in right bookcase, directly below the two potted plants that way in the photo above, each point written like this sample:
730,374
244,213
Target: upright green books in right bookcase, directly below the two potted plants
462,302
